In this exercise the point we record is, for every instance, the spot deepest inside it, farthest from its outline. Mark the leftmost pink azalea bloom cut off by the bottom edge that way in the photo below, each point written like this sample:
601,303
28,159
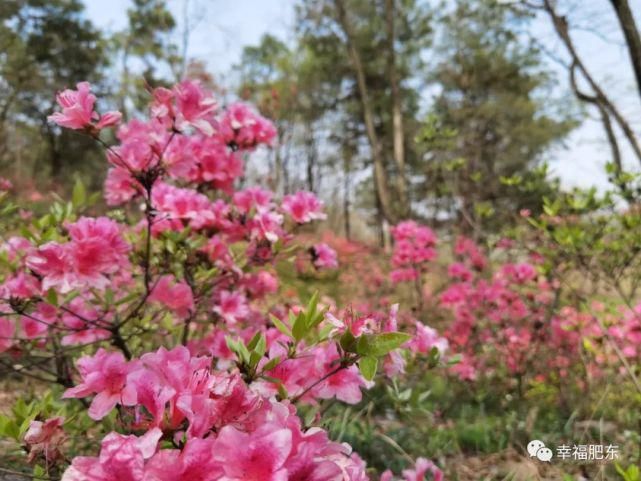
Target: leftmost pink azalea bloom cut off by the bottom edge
122,458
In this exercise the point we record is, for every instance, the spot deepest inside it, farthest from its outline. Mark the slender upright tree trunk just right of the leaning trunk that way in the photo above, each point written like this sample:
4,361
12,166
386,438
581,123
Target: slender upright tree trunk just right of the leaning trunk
397,114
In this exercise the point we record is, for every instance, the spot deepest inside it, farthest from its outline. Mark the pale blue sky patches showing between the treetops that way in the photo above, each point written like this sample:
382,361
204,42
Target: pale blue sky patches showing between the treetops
221,28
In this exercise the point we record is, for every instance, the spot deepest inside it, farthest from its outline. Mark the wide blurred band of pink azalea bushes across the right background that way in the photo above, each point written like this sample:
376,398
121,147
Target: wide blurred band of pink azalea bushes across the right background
500,317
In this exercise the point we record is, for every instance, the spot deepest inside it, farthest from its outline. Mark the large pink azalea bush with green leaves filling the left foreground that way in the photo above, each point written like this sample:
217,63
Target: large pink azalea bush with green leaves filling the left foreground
161,320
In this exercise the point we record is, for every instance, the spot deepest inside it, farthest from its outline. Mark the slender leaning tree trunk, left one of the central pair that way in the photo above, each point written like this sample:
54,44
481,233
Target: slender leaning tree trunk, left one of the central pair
380,180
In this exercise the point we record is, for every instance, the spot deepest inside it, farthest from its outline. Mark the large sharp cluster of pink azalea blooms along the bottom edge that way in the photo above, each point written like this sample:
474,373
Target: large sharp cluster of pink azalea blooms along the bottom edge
204,416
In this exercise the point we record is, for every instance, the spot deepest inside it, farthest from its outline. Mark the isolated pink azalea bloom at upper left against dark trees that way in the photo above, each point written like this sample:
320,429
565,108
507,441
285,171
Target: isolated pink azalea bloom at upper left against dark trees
78,110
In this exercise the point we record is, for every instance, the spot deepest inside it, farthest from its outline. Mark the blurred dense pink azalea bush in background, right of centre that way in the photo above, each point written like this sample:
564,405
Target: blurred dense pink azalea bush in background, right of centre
506,307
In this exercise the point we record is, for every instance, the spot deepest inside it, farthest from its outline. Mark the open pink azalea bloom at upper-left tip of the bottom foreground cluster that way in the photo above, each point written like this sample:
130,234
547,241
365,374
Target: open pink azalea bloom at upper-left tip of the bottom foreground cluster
104,374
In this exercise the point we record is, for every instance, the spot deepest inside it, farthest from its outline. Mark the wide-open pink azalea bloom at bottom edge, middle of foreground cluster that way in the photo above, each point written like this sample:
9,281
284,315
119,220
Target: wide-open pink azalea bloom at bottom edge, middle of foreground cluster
261,458
